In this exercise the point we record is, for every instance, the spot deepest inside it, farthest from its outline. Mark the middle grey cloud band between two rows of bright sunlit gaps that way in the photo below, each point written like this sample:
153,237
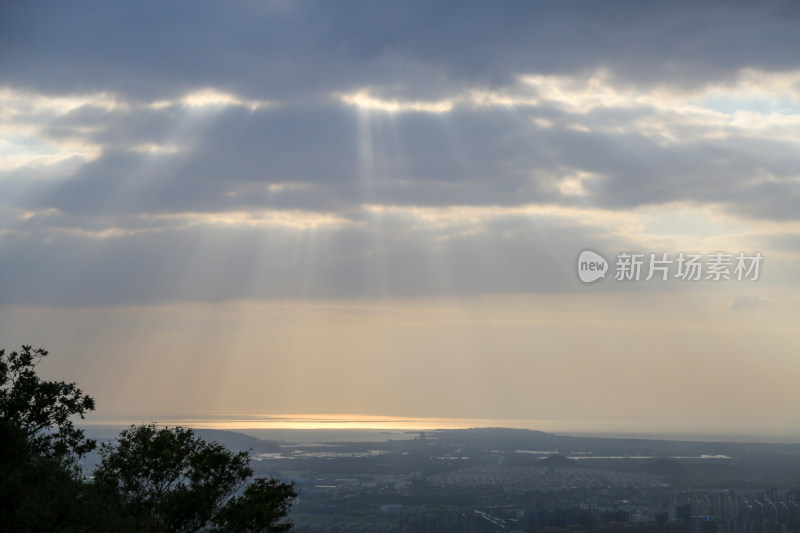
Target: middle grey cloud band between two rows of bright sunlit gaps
468,156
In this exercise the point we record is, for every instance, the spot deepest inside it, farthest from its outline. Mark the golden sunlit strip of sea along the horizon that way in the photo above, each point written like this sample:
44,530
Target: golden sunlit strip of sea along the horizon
360,427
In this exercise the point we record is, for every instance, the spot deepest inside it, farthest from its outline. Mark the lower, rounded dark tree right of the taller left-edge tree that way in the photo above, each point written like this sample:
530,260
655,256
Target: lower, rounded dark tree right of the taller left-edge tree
169,478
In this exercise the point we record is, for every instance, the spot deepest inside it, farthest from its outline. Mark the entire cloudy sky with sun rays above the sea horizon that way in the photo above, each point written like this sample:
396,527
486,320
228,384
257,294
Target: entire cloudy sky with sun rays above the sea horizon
377,209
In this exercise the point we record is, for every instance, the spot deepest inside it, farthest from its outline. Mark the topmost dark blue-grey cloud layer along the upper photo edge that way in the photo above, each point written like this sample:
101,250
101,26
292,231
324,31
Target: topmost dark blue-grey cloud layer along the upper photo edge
309,49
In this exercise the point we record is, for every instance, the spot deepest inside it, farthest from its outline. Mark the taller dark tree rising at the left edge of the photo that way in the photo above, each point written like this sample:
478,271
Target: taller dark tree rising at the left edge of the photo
40,483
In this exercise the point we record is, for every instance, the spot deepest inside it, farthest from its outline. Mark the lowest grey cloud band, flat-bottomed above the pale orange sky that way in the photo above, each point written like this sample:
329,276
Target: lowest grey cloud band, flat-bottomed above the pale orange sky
44,263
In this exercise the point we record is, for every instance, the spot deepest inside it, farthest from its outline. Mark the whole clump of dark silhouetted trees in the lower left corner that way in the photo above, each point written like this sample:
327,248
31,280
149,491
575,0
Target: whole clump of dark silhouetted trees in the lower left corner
154,480
